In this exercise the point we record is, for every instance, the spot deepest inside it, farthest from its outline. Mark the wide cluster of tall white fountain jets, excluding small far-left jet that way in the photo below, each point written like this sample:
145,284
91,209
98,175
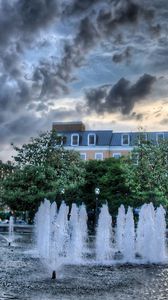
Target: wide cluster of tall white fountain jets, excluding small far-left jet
63,240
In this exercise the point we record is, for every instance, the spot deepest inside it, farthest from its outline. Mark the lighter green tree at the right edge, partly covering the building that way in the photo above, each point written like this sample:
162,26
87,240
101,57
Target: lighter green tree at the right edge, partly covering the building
146,173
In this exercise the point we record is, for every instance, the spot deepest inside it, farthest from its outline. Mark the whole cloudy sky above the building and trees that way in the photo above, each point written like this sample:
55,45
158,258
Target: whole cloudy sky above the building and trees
103,62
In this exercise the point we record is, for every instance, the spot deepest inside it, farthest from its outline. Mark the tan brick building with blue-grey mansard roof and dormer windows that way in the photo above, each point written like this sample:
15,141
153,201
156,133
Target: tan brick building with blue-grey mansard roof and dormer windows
101,144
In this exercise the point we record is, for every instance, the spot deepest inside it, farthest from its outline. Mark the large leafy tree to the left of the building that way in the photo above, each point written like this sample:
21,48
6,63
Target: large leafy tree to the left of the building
42,168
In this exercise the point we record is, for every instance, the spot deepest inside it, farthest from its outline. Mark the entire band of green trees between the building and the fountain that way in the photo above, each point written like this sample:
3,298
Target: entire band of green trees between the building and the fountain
43,168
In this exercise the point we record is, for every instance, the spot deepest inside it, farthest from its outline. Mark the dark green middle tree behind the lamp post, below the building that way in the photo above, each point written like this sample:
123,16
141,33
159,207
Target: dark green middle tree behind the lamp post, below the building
108,176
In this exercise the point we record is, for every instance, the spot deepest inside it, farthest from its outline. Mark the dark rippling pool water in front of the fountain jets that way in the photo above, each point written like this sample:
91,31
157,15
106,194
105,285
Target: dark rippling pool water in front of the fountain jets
23,276
